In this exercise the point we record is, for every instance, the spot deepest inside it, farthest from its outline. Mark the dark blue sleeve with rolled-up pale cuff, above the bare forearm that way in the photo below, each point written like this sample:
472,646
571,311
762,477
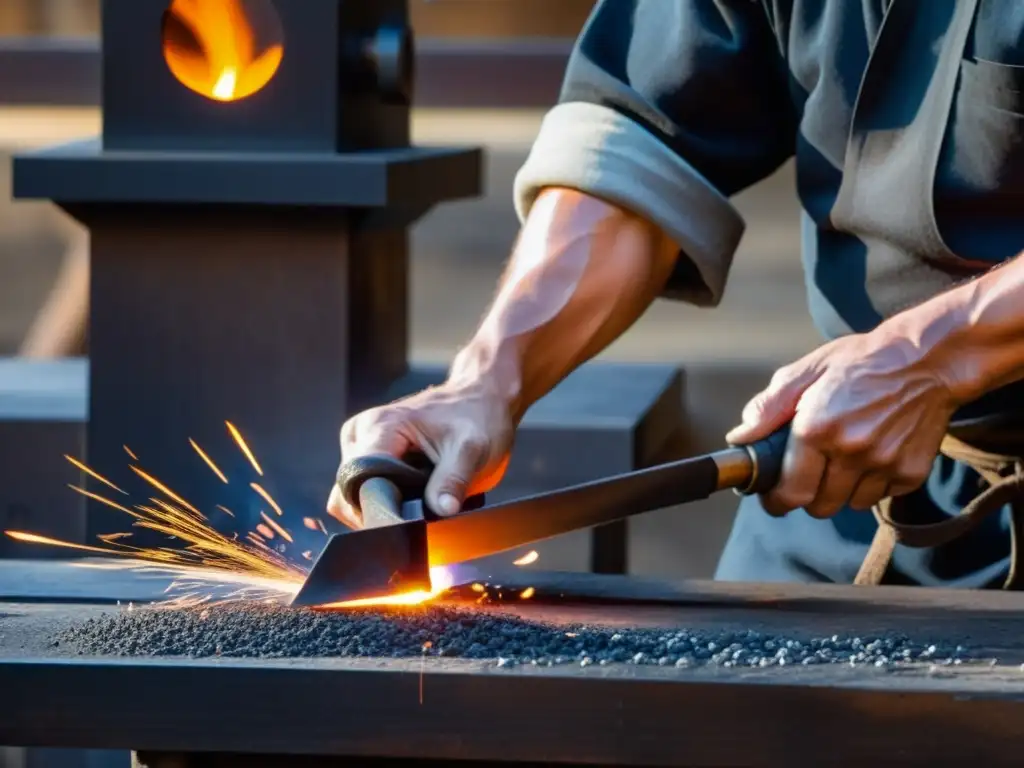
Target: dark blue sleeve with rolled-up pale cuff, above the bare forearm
668,109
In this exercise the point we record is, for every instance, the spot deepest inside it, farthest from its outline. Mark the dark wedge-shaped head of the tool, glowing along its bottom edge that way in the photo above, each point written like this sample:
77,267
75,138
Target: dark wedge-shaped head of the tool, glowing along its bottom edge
369,564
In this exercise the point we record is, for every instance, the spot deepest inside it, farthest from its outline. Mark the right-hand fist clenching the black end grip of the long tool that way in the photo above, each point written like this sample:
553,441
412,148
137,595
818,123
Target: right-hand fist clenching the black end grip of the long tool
869,413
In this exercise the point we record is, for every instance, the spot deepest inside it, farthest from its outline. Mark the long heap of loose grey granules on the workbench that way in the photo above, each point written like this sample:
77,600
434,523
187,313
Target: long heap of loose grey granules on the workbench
266,631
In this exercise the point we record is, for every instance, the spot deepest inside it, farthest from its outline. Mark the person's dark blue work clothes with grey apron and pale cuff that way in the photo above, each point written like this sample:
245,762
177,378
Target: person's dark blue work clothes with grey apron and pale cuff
907,121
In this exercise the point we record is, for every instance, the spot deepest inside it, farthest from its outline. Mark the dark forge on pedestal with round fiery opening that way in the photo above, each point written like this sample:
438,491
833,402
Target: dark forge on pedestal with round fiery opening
248,205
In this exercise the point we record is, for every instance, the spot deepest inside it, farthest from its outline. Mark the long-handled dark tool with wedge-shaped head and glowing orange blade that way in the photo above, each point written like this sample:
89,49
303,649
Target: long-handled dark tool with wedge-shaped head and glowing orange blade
402,538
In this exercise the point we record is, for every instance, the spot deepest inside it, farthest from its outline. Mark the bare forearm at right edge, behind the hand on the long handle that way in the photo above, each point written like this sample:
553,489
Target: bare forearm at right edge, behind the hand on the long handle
974,333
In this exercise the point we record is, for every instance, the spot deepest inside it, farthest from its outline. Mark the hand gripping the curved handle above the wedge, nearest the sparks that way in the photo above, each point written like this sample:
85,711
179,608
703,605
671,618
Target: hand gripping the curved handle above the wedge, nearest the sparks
464,431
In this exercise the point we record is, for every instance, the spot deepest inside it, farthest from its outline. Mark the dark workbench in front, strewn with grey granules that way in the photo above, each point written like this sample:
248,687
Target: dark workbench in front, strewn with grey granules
616,714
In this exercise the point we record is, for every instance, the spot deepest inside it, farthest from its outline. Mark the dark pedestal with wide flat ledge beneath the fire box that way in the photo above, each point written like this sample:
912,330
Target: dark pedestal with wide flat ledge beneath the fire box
280,319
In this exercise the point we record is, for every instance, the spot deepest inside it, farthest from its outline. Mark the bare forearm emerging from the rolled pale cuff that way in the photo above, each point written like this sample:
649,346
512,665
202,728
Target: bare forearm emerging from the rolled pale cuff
582,273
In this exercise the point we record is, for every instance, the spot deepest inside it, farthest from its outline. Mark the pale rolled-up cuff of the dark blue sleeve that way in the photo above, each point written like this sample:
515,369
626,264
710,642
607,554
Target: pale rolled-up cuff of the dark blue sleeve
601,152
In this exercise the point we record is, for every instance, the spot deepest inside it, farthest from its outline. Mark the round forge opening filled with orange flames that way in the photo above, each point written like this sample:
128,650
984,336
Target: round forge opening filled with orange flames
226,51
